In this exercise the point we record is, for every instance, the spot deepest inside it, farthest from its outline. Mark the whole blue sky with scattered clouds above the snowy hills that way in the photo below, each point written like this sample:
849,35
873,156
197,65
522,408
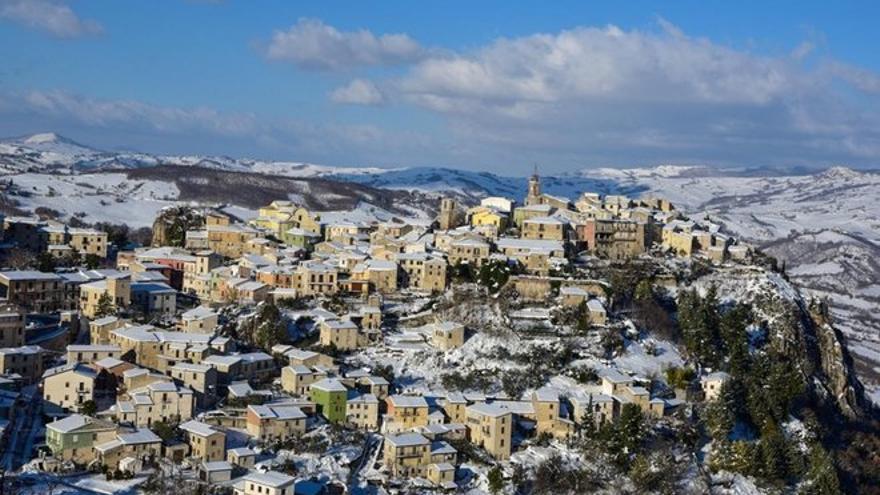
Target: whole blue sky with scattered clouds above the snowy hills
492,85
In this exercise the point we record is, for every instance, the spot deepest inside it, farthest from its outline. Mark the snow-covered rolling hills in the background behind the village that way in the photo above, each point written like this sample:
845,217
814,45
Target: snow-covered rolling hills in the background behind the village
825,226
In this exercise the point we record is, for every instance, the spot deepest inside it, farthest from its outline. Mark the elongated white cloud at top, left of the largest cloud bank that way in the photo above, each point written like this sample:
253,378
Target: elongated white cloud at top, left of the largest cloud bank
311,44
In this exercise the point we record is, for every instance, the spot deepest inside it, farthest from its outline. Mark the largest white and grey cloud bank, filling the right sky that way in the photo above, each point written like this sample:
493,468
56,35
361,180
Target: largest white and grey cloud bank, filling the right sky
605,95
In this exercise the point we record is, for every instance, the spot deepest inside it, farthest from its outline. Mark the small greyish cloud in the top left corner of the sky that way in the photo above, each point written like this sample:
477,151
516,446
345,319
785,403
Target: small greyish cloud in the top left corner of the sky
51,16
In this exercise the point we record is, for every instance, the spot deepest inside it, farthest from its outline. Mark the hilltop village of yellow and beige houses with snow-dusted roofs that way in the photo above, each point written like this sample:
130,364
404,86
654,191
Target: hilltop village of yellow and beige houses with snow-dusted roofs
290,355
